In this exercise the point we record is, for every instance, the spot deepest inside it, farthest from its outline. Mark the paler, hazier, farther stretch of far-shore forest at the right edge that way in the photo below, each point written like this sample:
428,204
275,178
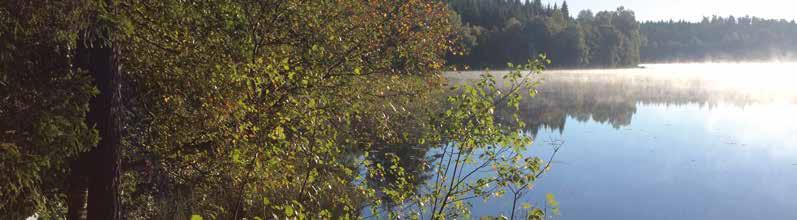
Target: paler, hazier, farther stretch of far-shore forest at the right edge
719,38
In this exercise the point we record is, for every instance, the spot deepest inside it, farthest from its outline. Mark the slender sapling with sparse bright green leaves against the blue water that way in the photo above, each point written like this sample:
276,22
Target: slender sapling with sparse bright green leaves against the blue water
481,121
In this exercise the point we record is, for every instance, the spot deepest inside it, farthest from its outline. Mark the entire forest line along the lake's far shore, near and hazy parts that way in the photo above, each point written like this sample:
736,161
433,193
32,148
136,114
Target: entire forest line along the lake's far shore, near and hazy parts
495,32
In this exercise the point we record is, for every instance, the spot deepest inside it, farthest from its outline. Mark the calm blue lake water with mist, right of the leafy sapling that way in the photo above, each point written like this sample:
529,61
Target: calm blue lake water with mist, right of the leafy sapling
675,141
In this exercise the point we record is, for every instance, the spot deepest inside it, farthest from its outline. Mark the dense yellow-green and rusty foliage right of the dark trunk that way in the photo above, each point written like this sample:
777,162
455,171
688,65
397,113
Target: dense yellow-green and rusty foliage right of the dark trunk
288,91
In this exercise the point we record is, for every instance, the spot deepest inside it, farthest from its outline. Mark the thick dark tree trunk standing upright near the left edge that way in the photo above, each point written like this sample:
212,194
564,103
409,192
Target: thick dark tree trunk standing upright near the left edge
102,164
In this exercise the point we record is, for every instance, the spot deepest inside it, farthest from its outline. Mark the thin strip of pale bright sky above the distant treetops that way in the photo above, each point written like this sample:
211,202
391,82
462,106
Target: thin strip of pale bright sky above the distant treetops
690,10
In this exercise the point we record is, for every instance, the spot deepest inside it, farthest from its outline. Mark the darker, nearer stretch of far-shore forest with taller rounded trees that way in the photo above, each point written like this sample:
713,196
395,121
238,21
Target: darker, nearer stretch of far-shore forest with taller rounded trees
501,31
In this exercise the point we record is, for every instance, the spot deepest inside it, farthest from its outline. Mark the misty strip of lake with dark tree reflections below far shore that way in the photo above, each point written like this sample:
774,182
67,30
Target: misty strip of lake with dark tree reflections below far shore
611,96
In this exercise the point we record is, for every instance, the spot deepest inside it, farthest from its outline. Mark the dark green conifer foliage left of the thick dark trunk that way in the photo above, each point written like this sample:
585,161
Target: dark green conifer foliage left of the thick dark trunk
43,105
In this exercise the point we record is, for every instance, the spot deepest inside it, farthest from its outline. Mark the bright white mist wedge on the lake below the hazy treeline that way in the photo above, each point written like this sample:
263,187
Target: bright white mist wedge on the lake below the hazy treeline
756,81
